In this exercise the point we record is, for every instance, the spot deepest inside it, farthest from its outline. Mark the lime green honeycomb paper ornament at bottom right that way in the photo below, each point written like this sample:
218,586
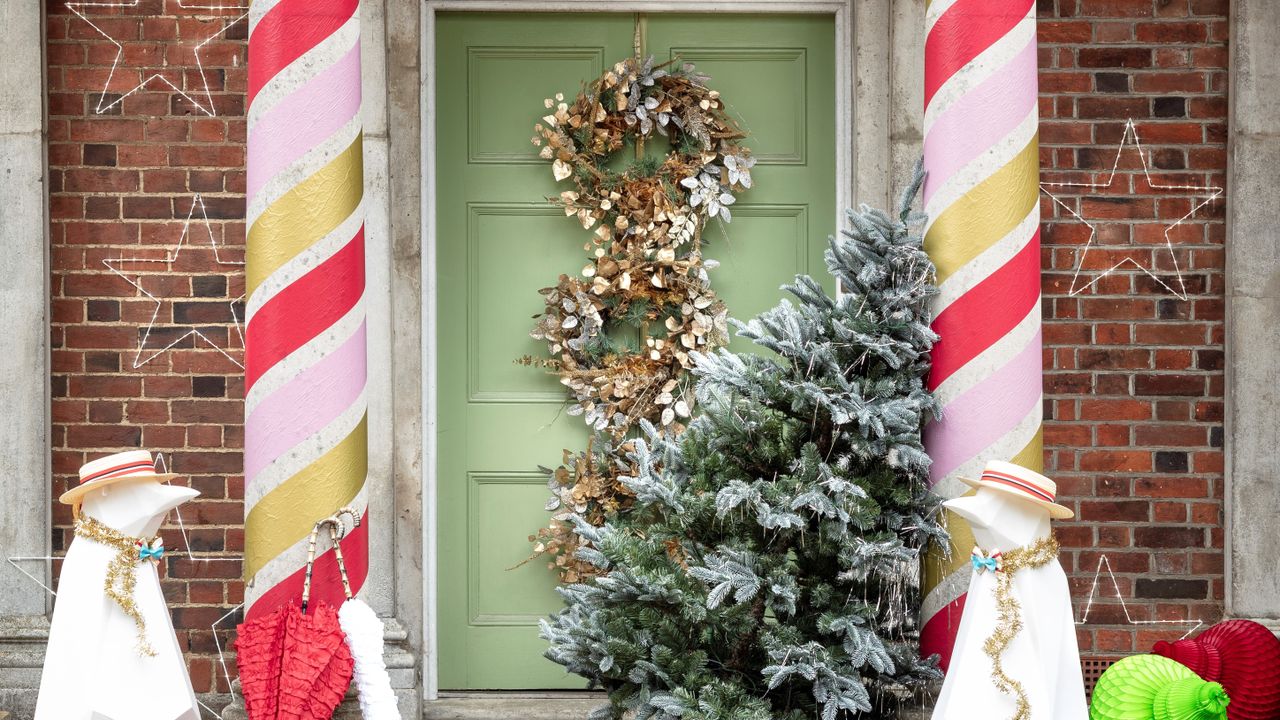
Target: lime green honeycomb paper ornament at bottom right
1149,687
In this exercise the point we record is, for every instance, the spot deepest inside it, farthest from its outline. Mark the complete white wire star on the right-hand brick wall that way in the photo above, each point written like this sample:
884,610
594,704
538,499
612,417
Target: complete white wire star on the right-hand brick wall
1206,195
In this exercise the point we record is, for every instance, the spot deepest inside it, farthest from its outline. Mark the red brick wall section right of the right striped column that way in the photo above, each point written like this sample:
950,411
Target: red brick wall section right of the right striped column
1133,380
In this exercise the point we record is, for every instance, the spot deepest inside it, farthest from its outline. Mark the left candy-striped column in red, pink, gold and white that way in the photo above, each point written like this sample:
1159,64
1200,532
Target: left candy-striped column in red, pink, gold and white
305,411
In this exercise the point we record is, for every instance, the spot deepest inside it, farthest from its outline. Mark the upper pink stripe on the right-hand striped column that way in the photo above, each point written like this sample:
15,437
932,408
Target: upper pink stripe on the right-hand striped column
980,120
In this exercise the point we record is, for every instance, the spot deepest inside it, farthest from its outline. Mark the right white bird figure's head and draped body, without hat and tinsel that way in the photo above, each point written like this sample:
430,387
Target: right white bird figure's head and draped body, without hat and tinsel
1044,657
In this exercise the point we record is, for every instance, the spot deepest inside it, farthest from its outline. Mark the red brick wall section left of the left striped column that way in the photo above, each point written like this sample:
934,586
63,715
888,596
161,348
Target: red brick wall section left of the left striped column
122,184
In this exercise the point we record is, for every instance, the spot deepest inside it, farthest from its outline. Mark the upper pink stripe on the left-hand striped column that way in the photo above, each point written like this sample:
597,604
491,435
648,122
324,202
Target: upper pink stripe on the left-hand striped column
303,121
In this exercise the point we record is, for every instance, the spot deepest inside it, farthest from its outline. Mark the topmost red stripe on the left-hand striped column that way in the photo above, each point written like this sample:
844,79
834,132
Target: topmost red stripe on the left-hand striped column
289,31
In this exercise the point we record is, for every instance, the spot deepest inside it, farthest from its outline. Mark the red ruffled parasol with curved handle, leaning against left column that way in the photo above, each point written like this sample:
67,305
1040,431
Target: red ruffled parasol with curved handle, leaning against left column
295,666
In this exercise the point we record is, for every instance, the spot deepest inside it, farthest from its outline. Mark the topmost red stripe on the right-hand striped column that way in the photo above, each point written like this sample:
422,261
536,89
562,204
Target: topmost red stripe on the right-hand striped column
963,33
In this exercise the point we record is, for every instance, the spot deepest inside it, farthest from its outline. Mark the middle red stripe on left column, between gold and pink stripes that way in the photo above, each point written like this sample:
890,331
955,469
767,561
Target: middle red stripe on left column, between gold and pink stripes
305,309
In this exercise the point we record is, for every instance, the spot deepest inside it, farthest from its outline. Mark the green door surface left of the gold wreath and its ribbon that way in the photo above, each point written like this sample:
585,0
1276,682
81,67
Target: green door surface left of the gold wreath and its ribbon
499,241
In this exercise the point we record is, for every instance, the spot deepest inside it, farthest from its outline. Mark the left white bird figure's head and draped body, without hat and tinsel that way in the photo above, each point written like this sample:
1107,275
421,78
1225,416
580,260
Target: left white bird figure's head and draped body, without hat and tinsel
93,669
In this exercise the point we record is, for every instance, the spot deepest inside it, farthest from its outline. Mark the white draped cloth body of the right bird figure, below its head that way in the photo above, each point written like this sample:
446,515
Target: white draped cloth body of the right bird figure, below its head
1044,657
